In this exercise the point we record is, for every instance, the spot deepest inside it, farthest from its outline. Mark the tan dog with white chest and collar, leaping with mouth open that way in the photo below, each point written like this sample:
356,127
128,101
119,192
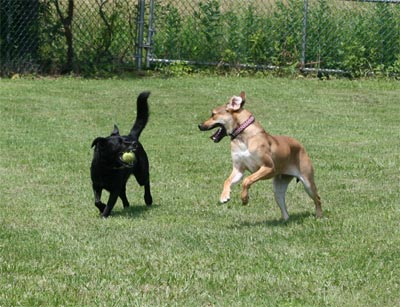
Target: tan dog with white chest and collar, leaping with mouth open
265,156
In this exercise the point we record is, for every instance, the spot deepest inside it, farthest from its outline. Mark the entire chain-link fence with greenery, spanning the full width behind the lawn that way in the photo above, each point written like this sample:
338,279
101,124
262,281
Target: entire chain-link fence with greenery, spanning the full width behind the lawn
90,36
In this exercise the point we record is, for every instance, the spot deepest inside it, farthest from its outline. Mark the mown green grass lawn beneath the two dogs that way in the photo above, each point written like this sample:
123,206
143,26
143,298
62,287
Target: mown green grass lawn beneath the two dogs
187,250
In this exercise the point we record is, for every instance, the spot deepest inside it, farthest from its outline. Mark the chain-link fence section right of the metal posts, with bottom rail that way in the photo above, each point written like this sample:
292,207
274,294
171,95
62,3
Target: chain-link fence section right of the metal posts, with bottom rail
311,35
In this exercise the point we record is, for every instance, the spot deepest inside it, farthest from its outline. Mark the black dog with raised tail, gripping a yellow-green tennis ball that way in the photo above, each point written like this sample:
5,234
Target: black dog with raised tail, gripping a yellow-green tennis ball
110,172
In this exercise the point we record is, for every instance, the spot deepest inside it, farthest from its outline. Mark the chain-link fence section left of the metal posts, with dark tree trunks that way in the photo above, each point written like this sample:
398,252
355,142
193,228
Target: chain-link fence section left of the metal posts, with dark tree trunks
62,36
